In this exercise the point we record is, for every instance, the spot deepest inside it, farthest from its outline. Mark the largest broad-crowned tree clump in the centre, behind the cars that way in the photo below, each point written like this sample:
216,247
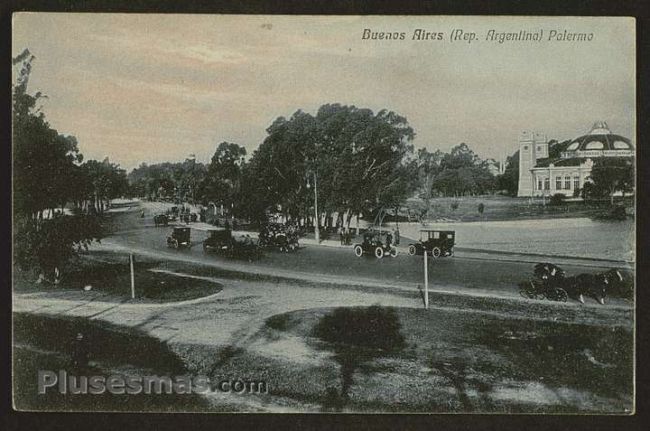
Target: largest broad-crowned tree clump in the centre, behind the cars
360,159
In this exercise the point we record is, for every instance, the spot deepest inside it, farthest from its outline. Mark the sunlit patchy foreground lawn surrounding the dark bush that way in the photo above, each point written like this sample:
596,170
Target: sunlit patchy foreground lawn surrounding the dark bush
451,362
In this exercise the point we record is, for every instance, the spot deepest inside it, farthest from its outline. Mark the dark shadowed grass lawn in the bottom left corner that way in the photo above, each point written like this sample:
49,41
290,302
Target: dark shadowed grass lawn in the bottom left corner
45,343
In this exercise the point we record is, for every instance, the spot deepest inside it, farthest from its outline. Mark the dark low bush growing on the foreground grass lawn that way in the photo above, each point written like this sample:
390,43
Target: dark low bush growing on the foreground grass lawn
373,327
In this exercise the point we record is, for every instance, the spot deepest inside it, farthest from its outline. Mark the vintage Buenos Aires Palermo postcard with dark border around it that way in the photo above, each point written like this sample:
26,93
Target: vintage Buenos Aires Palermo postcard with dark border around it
249,213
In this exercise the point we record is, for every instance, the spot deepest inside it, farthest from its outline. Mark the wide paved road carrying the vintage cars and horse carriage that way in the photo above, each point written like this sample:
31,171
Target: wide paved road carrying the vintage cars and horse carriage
476,271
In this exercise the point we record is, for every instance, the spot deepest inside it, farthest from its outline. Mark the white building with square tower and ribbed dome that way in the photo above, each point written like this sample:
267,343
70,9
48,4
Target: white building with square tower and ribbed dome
565,167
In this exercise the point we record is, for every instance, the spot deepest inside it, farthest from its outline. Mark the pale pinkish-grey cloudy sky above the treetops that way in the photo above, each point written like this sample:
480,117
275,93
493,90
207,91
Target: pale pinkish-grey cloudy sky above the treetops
153,88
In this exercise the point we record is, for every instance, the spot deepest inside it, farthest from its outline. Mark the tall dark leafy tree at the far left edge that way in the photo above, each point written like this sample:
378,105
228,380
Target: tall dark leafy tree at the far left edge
45,177
